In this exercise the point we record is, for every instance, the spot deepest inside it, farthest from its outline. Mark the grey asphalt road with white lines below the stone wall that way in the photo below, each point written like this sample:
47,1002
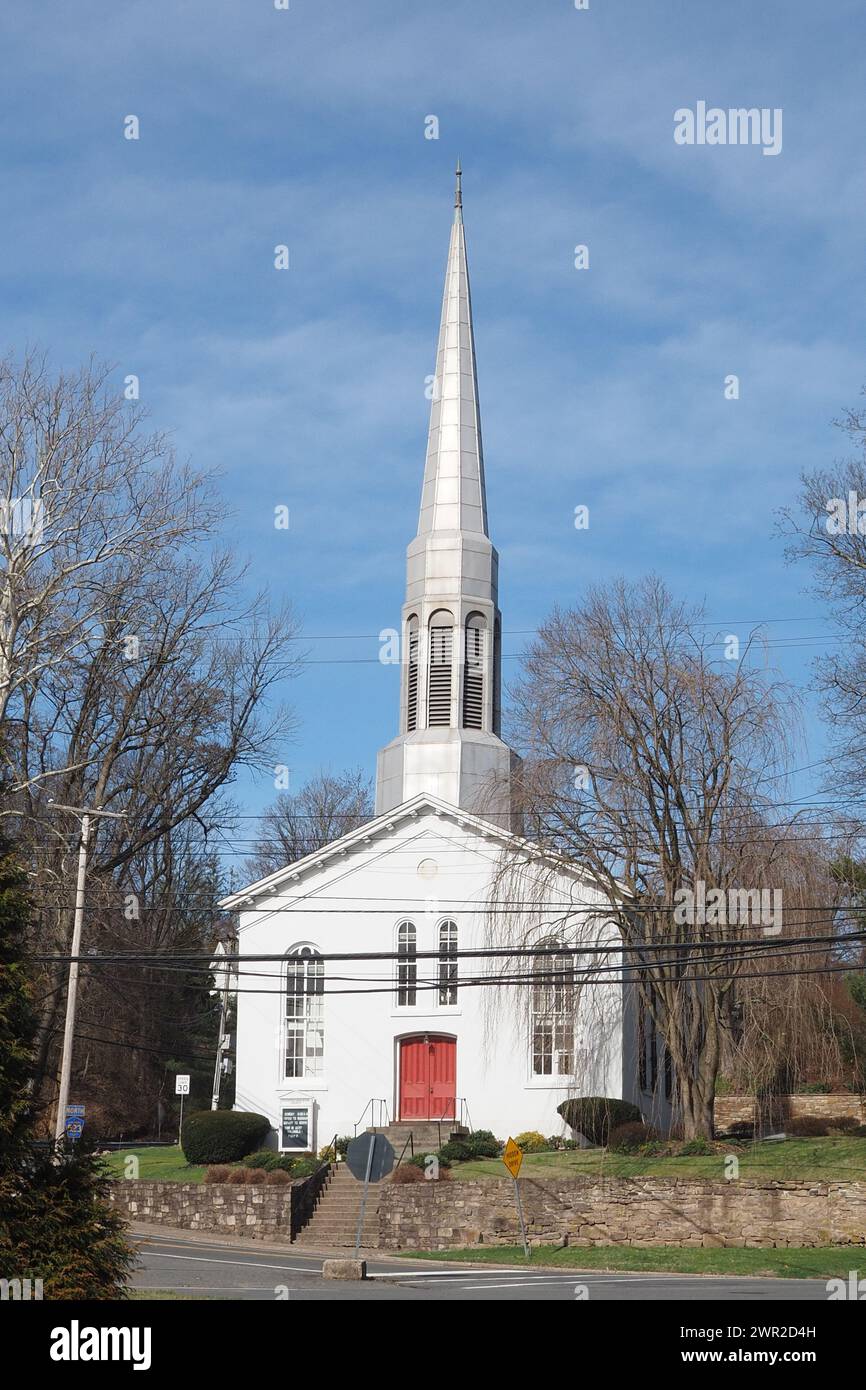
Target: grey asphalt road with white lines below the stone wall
199,1270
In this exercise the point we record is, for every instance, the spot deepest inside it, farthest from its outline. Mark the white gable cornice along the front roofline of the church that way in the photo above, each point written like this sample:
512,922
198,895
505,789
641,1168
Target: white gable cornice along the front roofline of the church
380,825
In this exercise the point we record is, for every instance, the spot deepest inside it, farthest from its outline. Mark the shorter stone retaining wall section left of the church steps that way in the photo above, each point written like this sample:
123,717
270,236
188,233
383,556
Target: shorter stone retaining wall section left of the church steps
254,1211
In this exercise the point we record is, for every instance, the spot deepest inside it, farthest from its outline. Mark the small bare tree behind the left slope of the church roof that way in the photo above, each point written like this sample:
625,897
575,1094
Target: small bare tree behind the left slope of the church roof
329,807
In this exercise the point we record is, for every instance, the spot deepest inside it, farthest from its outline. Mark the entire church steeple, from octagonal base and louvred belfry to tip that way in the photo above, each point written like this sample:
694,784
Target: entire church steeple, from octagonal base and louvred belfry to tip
451,637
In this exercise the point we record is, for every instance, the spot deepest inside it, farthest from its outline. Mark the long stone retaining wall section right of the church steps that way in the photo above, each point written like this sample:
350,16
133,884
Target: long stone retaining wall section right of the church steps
623,1211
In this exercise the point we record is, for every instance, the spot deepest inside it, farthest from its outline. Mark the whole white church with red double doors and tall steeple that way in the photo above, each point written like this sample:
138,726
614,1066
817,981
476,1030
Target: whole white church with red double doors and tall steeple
419,1032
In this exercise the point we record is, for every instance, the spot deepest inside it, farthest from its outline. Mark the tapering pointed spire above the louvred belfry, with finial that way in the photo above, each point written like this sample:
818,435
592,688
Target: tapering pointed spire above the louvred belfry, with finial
454,496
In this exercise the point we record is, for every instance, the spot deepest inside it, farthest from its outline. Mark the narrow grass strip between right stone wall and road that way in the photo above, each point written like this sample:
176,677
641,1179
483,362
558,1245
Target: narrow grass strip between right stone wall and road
781,1264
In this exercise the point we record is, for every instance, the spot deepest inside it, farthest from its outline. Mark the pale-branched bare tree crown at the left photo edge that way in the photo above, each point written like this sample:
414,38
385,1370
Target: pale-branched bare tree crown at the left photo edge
88,502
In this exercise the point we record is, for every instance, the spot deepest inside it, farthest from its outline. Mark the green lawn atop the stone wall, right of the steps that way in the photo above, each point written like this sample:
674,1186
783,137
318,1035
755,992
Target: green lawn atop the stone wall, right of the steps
828,1159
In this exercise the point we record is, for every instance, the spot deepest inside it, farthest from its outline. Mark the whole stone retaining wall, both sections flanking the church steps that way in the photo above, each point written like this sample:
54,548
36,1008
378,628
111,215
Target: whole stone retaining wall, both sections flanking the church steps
579,1211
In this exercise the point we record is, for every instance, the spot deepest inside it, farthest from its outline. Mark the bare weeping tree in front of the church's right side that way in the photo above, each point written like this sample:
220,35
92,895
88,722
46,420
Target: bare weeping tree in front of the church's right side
654,768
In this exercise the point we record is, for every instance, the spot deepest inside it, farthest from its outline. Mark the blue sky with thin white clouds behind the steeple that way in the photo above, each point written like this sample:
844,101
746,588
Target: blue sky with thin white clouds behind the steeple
603,387
